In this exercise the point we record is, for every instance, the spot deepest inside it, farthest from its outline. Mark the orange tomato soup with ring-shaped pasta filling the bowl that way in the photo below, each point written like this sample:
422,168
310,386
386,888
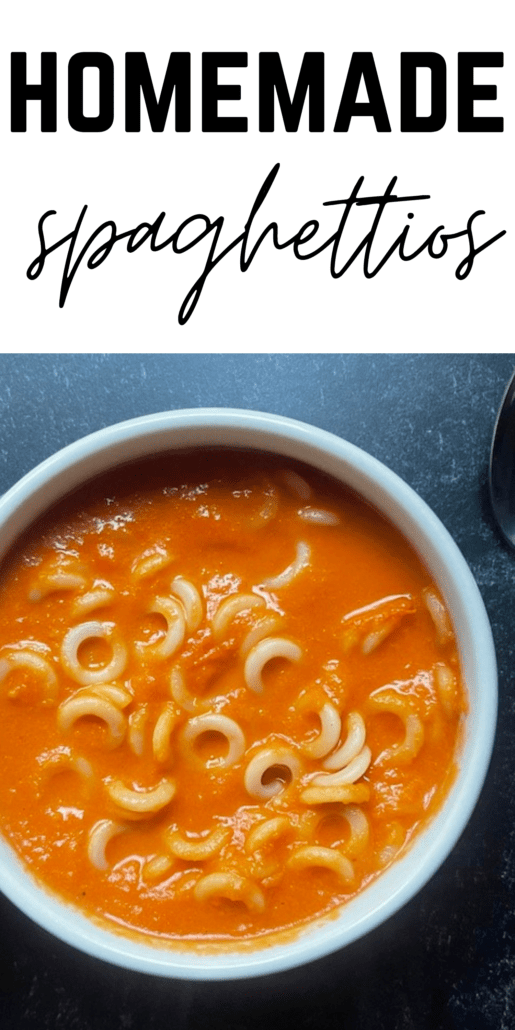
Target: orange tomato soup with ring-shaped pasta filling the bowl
230,698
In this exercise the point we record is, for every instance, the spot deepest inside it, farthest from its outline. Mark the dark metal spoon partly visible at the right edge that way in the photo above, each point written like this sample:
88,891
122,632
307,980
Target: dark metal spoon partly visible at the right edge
502,470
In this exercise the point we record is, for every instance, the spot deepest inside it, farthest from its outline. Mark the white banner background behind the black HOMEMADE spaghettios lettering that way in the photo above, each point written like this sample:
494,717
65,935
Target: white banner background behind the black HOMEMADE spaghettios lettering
138,301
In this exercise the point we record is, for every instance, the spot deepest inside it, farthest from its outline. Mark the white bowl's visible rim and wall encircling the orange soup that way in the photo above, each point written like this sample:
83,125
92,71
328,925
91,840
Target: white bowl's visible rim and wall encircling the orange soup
388,493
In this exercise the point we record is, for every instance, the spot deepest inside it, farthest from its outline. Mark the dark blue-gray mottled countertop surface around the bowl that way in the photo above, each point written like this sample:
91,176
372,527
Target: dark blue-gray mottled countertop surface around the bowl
449,959
